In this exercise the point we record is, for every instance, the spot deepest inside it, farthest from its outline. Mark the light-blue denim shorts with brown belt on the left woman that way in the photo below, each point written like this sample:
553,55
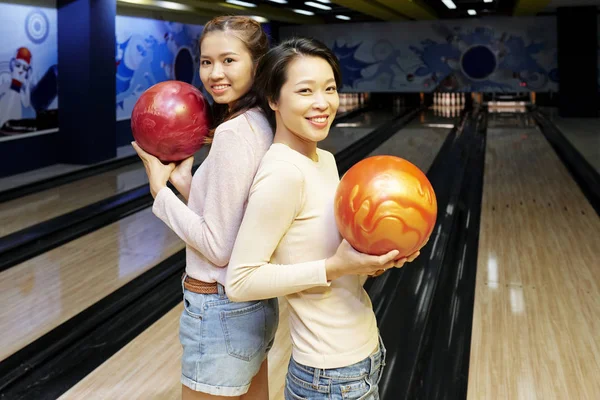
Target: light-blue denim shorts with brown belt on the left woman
224,343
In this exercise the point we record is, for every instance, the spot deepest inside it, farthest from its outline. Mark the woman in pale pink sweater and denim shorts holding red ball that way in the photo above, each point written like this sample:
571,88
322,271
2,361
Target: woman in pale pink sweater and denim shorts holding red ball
225,344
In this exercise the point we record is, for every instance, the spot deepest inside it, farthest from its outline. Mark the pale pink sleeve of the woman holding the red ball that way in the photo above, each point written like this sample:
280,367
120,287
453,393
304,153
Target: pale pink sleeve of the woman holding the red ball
213,233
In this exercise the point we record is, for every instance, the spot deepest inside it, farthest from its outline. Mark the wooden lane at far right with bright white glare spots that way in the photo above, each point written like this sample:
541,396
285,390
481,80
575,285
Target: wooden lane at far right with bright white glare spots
536,316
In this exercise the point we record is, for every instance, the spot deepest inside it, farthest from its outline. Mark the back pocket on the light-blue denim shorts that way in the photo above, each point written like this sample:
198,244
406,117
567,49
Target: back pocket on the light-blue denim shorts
245,330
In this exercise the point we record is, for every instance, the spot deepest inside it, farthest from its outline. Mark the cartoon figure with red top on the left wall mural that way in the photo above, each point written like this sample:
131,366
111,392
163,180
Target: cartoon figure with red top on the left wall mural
14,93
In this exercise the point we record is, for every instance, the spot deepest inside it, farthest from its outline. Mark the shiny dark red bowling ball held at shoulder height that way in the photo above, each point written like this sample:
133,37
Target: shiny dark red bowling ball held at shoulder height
170,120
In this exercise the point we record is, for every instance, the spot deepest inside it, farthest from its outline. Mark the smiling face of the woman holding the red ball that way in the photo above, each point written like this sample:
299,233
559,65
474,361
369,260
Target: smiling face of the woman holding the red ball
226,67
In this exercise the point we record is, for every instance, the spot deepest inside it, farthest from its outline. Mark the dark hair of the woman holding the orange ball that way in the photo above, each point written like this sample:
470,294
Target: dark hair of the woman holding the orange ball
271,72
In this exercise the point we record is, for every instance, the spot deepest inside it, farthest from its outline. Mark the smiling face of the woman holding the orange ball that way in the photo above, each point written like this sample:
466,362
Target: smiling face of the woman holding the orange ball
308,100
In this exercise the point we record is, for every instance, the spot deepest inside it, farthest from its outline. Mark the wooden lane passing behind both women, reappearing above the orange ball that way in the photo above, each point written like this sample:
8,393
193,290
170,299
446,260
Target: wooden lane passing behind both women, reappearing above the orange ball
417,142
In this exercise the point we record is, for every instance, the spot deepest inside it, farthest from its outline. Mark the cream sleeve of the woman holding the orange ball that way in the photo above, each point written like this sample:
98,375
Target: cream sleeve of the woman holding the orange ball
275,200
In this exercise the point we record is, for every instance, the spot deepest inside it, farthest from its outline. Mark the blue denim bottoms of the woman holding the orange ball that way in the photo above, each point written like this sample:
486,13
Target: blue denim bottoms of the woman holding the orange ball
354,382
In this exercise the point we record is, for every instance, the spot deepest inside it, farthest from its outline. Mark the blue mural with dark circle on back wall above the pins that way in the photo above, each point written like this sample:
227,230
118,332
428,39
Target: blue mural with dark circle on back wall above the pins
497,55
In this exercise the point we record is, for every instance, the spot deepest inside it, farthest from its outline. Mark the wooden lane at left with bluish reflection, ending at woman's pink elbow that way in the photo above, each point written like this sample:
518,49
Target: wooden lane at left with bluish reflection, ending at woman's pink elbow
43,292
